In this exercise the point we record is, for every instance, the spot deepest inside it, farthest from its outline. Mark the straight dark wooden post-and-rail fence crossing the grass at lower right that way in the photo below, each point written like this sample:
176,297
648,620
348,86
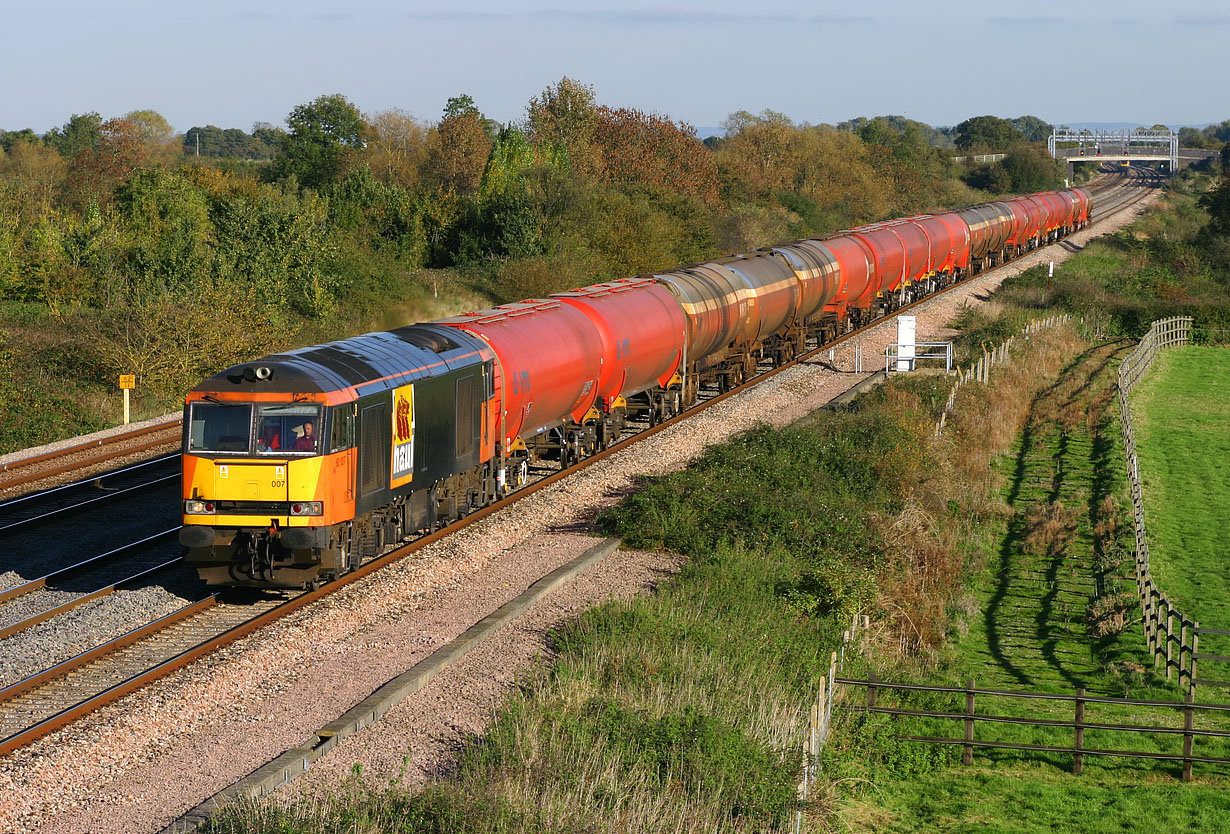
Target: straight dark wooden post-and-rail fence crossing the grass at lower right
1079,725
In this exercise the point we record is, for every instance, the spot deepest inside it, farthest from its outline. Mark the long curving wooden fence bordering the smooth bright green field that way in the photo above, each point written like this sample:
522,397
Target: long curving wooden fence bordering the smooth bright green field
1174,639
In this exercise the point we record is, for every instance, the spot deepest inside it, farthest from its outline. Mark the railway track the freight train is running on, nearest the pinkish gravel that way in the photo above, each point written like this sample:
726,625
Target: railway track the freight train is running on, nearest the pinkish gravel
56,697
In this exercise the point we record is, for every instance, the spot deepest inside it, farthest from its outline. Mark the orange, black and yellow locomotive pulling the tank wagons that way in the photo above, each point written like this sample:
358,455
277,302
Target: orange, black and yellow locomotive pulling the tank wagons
300,467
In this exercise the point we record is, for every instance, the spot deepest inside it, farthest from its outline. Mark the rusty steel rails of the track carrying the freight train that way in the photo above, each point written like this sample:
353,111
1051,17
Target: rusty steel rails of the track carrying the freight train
307,598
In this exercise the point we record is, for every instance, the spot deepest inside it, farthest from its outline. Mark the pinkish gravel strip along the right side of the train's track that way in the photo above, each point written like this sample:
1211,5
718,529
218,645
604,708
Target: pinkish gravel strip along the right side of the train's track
141,763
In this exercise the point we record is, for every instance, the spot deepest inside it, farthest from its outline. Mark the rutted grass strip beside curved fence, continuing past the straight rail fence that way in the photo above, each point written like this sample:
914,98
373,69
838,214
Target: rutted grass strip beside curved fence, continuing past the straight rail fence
1053,611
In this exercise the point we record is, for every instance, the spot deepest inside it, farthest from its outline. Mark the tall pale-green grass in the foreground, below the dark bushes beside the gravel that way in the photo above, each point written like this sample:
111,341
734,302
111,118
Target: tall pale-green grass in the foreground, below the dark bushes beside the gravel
678,712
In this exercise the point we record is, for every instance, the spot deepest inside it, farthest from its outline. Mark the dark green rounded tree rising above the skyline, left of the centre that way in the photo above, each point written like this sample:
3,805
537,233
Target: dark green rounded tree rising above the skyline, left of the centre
324,136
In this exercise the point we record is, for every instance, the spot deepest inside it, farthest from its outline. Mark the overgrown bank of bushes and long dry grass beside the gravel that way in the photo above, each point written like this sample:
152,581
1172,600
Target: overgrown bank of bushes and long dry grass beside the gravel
687,710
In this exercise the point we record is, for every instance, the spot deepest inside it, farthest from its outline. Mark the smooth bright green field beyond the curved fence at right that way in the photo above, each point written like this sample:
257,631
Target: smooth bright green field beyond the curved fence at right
1181,414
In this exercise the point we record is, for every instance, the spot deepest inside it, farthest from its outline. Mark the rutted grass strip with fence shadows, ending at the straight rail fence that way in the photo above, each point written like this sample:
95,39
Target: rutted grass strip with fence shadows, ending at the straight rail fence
1063,486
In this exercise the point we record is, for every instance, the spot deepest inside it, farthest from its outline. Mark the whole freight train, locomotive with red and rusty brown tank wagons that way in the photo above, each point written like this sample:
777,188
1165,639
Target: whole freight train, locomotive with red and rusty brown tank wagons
300,466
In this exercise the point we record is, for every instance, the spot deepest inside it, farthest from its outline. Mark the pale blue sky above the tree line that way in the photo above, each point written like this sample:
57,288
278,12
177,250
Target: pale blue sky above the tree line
232,63
